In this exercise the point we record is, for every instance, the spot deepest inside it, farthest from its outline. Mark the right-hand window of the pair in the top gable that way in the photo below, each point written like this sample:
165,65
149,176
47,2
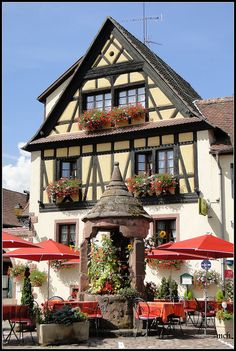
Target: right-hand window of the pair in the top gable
131,96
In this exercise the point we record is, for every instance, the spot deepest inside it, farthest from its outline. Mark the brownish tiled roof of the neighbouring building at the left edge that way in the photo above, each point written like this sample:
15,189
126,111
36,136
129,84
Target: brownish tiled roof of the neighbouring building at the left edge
10,200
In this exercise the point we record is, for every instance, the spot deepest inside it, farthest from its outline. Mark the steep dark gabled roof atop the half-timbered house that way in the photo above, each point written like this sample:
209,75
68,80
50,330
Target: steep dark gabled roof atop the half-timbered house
181,89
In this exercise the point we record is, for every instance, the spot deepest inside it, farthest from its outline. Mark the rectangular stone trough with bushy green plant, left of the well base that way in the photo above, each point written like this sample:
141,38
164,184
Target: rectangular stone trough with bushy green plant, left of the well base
63,326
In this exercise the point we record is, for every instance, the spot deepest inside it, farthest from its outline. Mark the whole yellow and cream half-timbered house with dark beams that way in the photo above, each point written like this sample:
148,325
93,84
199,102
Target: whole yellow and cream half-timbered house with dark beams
180,134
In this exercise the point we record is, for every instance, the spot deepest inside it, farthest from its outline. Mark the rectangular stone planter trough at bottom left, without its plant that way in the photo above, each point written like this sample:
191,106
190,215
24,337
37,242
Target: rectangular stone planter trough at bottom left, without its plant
49,334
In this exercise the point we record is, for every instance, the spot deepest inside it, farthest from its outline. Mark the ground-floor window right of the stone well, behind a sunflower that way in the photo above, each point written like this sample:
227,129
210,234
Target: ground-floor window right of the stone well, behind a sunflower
164,231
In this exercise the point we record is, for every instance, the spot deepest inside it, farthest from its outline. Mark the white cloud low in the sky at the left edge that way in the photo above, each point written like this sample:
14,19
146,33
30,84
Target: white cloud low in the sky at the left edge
17,177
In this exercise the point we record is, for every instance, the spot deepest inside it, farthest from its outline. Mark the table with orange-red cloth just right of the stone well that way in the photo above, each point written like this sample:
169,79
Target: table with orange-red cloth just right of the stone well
164,309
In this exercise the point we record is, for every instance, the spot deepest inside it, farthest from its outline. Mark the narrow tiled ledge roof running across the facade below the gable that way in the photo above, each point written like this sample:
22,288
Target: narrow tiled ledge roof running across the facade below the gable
116,131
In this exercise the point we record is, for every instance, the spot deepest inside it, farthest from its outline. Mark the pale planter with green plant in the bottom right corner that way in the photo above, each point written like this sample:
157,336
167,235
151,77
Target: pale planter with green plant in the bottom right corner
224,323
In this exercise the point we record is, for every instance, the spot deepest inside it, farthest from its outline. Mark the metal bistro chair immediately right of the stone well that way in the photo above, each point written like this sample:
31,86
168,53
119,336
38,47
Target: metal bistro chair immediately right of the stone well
142,314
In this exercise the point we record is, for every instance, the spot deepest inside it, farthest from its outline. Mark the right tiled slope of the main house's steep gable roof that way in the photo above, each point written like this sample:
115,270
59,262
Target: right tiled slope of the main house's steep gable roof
182,88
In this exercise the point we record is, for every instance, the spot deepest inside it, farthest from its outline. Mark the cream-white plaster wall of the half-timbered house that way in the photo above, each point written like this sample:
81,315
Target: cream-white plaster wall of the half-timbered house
191,223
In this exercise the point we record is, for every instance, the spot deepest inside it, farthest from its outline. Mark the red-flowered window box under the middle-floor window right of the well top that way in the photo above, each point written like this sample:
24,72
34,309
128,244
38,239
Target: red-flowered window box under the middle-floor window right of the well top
143,185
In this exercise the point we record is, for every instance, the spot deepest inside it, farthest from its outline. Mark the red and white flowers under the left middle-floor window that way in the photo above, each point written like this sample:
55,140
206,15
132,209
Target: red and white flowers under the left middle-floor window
62,188
